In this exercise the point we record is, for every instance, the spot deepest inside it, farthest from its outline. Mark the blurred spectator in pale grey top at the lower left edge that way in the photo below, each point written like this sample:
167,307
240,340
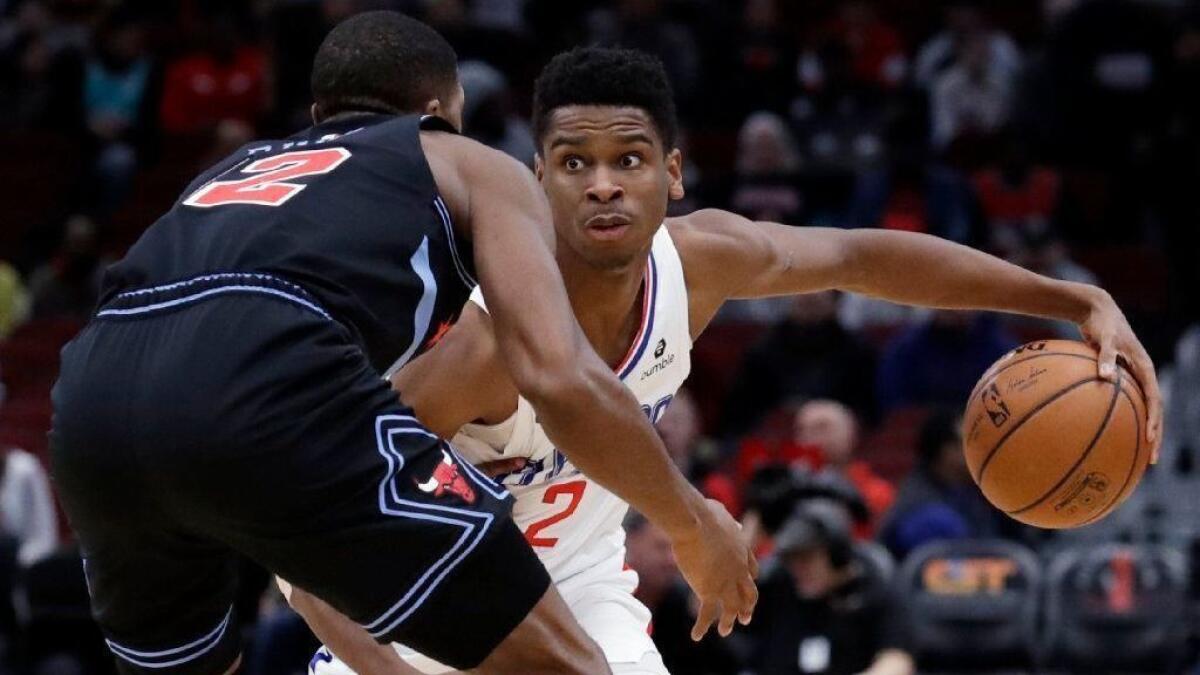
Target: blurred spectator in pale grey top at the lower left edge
27,509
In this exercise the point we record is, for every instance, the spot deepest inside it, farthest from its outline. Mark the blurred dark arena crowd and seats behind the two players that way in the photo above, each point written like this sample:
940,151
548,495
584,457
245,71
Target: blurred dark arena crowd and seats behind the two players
1061,135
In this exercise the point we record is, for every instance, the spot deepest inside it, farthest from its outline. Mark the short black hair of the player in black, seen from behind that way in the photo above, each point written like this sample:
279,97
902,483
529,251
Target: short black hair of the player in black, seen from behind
382,62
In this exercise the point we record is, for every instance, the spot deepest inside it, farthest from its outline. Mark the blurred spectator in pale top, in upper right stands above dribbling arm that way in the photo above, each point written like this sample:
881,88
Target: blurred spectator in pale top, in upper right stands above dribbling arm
971,99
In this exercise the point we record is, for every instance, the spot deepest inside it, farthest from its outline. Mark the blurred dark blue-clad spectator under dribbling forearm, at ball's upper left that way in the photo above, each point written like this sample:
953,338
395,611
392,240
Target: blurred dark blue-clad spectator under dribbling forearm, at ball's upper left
938,362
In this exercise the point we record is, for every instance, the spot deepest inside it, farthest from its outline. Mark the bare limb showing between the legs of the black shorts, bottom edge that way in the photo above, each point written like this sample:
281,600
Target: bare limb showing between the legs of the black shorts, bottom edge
347,640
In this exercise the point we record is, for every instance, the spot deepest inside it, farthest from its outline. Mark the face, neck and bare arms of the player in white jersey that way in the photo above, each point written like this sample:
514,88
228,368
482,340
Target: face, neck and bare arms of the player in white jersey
609,178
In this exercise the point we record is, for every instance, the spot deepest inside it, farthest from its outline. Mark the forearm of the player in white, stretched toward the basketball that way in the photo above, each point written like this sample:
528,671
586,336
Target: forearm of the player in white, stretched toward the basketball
920,270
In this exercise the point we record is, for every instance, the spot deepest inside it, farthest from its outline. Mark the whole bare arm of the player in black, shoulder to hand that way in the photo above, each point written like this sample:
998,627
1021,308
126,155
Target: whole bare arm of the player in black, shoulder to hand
580,402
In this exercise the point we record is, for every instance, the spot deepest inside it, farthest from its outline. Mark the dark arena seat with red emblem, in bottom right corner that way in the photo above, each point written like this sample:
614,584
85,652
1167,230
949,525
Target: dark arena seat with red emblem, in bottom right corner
1118,610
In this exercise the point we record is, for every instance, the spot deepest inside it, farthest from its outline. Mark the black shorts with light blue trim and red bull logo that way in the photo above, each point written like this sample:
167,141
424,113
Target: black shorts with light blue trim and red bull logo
232,415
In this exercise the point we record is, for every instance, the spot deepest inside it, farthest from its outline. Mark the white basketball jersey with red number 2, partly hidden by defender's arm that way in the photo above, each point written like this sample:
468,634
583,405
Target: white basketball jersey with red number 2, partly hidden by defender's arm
573,523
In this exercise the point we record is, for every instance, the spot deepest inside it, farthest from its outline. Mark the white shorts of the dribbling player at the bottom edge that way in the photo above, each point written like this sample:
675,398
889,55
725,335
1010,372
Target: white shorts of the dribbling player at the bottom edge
602,600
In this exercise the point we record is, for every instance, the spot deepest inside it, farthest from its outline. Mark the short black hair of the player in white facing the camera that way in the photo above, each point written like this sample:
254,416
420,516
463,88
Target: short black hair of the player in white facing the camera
604,76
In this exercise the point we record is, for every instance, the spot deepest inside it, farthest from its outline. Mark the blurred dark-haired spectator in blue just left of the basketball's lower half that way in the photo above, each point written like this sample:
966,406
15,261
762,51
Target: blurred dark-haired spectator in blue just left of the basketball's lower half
939,500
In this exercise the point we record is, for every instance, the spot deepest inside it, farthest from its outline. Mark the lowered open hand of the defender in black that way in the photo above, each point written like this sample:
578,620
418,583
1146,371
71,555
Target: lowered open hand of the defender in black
721,568
